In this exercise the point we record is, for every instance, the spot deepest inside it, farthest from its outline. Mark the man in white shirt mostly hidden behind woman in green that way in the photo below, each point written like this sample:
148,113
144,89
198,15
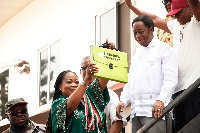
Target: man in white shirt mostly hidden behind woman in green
114,124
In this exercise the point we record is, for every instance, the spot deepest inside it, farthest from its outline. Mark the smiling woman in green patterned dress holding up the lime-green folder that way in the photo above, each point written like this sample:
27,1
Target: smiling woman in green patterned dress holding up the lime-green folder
78,108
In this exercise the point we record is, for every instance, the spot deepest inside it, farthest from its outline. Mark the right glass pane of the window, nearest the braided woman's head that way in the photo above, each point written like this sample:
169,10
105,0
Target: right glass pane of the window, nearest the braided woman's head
54,66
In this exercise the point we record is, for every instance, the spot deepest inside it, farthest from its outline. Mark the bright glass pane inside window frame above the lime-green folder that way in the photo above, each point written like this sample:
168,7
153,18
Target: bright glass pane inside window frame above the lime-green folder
107,27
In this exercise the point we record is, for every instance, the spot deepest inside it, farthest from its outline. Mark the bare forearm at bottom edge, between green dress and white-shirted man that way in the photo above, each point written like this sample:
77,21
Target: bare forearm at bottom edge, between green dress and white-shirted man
116,127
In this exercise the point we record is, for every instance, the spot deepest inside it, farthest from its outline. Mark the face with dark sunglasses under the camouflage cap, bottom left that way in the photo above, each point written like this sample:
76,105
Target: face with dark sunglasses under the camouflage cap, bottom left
18,115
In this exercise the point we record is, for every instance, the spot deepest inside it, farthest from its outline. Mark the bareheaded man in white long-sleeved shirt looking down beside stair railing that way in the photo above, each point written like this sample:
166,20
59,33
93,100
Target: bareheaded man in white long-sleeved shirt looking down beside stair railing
153,76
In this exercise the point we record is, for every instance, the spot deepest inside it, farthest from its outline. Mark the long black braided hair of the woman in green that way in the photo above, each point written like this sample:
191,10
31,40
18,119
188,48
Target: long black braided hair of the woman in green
56,95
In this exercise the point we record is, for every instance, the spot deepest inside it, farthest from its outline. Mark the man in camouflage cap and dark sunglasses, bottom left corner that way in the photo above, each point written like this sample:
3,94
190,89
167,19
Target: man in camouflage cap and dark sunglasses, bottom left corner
17,114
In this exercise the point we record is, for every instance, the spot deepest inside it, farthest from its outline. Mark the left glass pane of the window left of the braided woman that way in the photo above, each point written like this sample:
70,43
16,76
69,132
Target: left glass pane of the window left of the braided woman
43,76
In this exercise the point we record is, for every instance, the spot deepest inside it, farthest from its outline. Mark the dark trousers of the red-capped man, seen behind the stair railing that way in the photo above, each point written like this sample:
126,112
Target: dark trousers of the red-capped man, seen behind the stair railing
186,110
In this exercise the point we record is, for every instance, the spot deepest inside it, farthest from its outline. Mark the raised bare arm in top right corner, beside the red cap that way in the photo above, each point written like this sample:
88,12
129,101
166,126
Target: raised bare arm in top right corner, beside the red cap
195,7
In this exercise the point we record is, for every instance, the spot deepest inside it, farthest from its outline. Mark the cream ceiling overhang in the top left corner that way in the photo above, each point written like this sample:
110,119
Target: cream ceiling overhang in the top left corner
9,8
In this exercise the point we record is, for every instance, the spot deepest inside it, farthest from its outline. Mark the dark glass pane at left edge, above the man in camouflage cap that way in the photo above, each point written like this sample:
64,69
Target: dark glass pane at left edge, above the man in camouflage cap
4,84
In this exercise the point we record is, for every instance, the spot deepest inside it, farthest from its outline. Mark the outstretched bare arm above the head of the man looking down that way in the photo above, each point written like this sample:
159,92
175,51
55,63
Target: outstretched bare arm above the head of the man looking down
158,22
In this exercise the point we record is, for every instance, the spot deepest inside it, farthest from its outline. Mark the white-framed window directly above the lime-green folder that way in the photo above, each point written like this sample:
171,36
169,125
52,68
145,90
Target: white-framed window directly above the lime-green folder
106,24
